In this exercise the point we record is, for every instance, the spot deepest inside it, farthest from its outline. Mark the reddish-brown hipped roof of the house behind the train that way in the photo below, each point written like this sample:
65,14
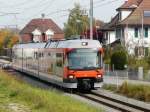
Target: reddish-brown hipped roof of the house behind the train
41,24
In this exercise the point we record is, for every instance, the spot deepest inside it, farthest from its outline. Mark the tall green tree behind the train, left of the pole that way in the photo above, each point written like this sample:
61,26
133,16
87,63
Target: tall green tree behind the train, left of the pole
78,22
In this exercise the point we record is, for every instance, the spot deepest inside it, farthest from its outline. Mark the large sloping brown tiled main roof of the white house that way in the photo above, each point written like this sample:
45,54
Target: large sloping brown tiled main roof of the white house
135,18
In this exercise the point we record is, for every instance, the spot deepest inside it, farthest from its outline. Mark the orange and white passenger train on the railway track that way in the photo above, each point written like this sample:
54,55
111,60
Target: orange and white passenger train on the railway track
67,63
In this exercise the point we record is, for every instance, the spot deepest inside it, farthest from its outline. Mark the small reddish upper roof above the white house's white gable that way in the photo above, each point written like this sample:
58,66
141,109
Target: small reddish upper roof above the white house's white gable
130,4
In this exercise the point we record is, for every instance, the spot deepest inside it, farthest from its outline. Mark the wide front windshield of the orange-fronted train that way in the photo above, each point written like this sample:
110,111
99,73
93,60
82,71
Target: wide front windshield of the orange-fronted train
84,59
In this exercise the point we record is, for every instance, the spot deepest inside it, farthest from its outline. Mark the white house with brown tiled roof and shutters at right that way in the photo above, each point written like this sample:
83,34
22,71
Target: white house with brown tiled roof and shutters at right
132,26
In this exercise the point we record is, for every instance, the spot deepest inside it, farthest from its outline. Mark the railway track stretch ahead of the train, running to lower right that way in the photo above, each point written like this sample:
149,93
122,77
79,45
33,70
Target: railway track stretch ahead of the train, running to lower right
113,103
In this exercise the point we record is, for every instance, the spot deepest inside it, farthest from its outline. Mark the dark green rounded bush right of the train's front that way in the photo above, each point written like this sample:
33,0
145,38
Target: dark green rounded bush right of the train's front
119,59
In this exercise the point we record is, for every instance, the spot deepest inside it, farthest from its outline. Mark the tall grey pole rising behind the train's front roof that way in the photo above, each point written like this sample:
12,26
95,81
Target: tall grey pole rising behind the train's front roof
91,19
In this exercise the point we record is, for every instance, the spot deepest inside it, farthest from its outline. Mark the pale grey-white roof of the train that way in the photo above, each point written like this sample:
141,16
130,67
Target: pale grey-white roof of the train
78,43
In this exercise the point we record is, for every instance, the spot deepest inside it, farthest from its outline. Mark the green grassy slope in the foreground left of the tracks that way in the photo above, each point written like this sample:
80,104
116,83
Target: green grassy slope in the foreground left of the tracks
17,96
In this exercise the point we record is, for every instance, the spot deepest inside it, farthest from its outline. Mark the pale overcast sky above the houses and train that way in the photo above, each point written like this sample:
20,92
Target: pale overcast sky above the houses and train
54,9
